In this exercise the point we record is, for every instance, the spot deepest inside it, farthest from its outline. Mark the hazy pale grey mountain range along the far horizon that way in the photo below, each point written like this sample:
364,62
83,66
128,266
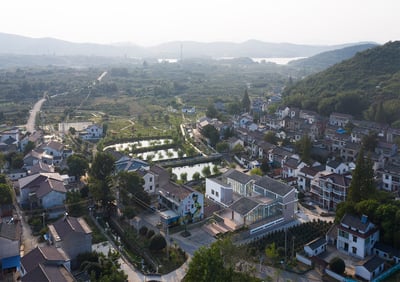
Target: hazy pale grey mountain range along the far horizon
20,45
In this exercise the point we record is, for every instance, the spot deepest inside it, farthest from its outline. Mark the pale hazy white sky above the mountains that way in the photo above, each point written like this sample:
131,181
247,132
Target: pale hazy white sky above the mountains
149,22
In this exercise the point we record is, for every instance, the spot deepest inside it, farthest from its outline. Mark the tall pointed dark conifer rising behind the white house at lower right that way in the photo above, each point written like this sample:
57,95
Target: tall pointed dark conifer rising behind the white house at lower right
362,185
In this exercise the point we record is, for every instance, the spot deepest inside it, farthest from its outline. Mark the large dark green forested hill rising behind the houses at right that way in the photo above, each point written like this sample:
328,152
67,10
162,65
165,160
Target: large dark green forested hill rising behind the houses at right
366,86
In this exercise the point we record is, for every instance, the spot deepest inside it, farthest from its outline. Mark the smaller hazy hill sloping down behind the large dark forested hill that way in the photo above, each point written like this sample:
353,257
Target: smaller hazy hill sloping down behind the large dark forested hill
324,60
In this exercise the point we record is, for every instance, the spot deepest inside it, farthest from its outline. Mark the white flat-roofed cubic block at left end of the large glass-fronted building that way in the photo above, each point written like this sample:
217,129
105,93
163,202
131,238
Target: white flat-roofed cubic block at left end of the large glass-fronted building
219,191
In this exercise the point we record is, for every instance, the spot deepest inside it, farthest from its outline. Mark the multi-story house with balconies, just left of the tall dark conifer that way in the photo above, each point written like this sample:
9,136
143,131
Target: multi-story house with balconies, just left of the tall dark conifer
329,189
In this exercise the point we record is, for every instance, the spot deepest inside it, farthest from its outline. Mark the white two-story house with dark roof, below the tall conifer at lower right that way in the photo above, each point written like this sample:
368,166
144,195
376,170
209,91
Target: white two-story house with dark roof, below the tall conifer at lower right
356,236
